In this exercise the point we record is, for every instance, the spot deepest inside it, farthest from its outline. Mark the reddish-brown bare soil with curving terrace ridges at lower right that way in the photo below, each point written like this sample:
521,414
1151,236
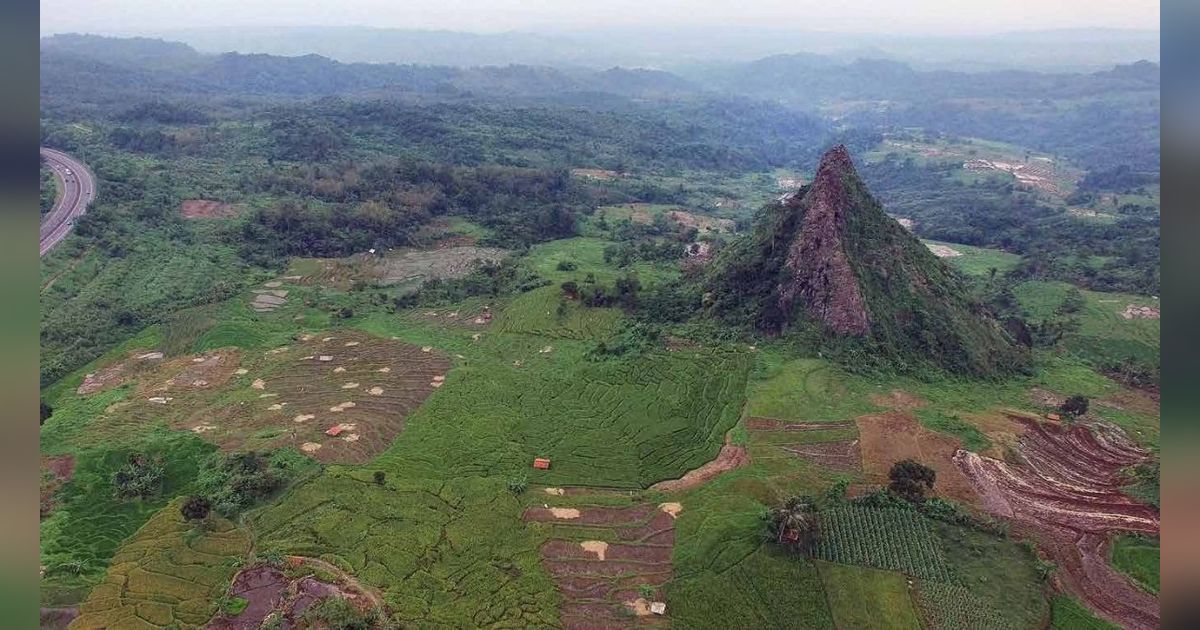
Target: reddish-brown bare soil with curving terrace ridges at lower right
1066,495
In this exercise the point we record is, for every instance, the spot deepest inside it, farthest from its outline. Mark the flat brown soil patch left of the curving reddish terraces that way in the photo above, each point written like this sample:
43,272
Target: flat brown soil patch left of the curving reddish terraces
887,439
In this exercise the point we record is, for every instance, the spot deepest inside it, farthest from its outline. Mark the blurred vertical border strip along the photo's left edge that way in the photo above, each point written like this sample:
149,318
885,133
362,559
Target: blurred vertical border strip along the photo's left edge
19,316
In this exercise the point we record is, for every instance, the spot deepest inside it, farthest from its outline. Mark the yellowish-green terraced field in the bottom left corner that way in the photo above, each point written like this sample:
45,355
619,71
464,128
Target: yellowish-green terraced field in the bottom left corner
170,574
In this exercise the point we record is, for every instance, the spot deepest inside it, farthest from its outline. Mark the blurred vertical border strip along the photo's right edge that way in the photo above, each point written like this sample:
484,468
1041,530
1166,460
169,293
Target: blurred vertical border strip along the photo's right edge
1181,356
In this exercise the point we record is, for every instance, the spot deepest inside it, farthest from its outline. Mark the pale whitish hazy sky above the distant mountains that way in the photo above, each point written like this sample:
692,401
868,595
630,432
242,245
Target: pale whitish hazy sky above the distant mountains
943,17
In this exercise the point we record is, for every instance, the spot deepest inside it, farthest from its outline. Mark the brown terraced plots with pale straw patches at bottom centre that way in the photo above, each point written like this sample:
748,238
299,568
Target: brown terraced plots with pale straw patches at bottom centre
598,579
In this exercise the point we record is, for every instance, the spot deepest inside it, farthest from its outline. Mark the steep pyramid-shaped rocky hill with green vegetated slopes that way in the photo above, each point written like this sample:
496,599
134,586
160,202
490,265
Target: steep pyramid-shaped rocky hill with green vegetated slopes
830,256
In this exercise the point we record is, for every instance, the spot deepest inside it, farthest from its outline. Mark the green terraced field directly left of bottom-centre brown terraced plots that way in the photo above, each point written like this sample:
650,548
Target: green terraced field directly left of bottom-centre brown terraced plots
451,554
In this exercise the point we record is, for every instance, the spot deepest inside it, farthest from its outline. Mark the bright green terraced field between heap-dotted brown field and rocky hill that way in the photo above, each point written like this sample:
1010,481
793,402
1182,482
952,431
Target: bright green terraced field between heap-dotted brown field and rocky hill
610,424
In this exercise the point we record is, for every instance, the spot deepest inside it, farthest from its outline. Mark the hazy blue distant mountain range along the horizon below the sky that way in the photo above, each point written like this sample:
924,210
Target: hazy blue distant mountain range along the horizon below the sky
803,80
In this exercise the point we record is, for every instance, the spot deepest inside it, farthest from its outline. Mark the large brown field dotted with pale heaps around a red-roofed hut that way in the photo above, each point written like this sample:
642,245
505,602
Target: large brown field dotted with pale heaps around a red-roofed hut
363,386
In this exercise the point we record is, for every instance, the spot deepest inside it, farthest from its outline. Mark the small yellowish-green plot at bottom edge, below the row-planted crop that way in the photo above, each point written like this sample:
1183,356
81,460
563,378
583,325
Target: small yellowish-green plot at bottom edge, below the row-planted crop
868,598
